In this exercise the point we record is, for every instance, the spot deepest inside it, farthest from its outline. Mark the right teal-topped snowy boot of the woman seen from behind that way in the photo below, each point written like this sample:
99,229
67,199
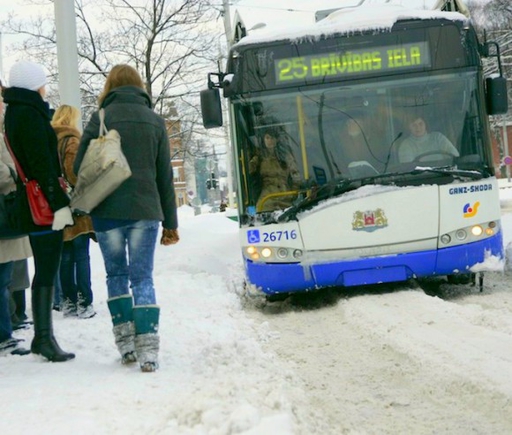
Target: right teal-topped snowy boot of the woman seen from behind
147,341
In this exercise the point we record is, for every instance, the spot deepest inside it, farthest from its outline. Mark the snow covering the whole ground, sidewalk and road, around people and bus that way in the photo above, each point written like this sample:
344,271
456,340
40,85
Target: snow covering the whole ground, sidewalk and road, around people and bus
389,360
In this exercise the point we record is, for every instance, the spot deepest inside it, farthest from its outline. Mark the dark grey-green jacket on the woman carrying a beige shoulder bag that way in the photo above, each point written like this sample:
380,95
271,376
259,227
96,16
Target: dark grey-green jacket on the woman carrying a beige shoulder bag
149,193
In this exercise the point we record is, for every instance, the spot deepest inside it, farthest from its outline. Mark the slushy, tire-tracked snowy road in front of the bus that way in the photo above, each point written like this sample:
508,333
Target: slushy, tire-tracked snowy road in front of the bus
399,362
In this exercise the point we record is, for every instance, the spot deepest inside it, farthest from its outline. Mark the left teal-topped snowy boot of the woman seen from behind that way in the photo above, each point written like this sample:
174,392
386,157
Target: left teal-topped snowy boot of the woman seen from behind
121,310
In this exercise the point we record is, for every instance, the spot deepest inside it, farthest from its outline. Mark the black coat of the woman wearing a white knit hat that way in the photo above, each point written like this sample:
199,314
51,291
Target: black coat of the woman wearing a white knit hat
34,143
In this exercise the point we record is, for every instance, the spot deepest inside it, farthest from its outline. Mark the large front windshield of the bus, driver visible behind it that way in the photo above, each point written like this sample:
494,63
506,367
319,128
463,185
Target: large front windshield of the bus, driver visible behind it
293,141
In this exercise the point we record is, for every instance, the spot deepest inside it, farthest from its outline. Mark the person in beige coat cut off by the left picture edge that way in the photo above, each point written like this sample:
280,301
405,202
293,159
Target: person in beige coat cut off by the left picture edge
11,250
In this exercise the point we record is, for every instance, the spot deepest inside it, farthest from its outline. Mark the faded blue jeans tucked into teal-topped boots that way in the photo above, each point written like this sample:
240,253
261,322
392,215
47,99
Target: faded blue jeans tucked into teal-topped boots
128,253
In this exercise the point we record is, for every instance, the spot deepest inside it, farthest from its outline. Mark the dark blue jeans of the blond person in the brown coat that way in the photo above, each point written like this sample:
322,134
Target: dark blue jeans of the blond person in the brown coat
75,271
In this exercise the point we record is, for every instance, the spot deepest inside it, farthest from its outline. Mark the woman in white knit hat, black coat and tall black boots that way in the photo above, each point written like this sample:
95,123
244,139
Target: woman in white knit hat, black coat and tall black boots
34,144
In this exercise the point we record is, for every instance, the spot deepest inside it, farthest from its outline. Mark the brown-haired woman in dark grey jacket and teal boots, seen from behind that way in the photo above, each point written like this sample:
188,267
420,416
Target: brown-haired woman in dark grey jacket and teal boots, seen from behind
127,221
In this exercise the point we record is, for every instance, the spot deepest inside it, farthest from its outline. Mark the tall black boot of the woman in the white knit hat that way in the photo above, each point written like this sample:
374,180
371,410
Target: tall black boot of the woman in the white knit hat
44,342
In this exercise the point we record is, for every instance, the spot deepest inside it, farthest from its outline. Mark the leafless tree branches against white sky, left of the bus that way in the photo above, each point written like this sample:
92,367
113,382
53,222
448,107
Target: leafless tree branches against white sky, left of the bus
171,43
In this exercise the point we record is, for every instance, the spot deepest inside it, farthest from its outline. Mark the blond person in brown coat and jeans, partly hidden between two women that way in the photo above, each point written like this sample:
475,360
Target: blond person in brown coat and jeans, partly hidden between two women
75,265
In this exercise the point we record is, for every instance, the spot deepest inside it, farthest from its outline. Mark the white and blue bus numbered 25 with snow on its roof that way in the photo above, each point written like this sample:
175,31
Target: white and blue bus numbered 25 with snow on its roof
363,154
